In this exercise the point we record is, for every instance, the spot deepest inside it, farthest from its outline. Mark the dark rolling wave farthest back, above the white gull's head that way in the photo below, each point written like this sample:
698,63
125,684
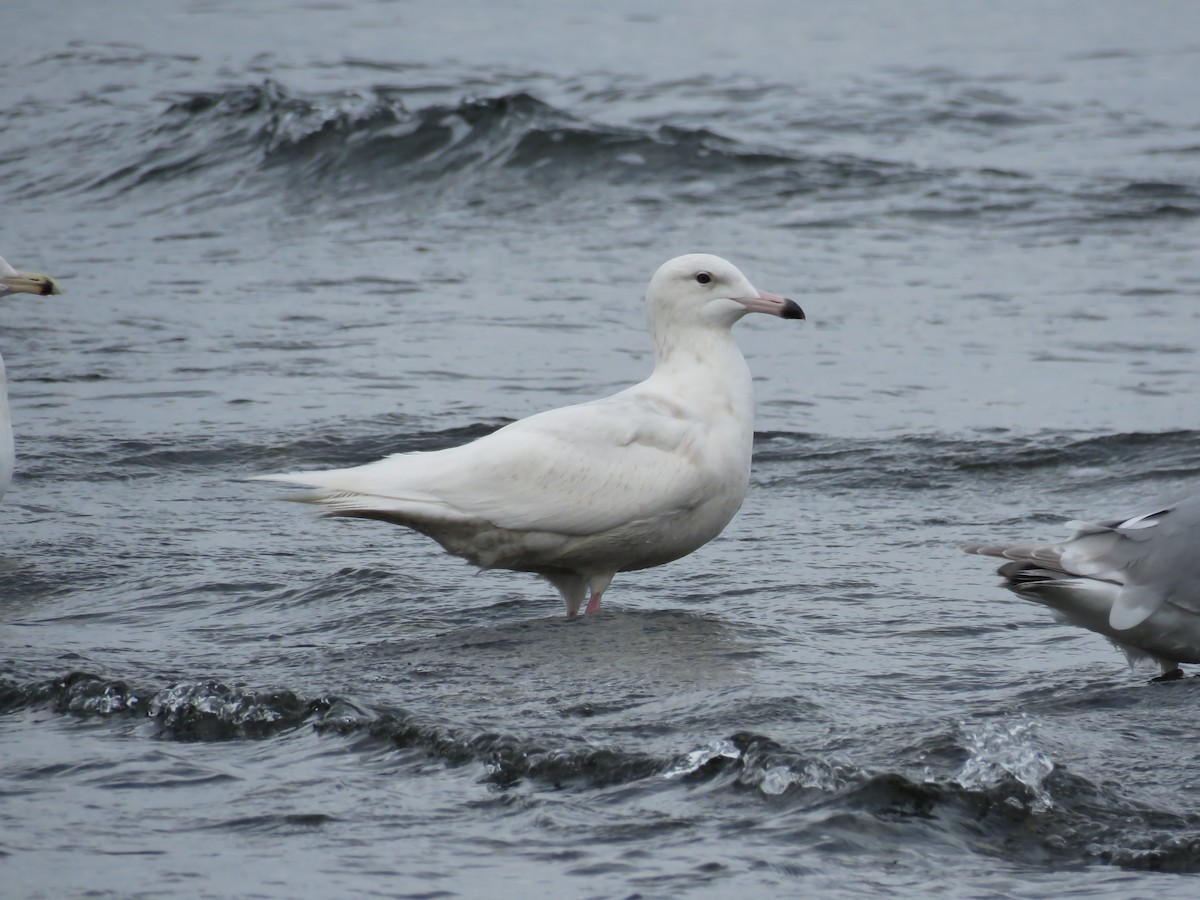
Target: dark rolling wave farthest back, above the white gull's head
237,145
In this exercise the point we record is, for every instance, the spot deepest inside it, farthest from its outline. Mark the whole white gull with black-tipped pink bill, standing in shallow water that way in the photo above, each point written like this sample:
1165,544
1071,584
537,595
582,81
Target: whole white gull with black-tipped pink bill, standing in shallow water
579,494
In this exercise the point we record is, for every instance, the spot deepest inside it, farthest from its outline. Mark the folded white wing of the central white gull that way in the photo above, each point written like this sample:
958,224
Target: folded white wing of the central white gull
607,464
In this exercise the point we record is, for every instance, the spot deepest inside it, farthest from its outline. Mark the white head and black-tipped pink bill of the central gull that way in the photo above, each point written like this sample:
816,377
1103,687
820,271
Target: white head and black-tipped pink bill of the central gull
700,289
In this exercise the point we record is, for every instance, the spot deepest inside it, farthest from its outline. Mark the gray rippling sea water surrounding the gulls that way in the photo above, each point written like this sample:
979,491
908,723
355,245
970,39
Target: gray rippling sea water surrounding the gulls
311,235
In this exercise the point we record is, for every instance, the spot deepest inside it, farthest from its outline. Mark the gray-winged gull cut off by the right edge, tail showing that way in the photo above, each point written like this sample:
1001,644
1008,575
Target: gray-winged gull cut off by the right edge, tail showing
1135,579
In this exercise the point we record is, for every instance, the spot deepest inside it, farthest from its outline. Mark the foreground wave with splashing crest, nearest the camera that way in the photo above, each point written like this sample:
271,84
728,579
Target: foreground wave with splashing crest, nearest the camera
1010,799
